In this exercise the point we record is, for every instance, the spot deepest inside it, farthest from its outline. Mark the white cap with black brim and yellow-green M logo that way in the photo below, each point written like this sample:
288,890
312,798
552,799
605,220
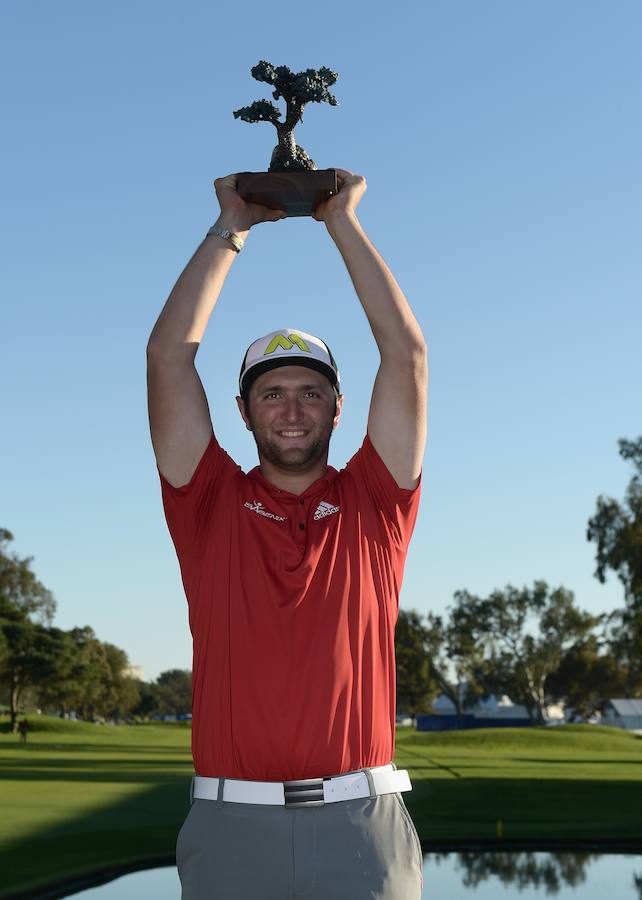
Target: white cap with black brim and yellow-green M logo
287,347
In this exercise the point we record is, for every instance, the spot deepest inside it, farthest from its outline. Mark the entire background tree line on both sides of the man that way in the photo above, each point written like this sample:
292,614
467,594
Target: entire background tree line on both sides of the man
534,644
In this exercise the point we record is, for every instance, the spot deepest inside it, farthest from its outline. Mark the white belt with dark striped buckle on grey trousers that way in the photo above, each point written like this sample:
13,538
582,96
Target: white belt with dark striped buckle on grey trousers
307,791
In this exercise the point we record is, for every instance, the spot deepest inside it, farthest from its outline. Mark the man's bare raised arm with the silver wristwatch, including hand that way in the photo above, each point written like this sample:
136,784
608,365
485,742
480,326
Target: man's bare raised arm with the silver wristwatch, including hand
179,416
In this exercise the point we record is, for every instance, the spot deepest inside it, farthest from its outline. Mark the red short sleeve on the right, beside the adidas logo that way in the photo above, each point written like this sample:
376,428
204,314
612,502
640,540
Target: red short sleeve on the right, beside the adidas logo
398,507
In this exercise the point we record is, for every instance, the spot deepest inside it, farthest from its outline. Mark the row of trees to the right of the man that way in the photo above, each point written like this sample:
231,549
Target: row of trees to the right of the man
536,644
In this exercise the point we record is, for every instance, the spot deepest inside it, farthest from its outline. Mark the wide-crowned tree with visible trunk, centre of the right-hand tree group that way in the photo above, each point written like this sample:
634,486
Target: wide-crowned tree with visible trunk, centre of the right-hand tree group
524,660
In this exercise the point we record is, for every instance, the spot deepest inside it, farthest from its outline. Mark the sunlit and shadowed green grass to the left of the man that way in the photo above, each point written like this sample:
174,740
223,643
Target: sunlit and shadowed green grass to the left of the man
79,797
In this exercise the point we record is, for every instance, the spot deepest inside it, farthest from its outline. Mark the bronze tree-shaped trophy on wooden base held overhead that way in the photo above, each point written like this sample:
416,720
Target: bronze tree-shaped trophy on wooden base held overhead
292,183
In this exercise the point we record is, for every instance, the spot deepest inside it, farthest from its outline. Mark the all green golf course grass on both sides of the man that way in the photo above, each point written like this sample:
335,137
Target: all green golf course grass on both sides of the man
80,797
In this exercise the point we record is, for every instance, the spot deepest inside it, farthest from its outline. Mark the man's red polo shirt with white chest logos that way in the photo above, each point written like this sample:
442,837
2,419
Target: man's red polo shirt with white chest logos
293,602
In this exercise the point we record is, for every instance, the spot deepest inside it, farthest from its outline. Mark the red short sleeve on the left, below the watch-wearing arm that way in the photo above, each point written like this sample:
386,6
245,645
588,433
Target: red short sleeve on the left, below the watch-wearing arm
188,509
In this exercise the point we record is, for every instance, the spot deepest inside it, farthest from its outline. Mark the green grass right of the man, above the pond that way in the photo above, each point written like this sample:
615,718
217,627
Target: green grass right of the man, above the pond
570,783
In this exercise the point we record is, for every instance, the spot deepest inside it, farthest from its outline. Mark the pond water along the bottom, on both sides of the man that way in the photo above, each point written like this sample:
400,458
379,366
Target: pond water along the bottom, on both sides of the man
458,876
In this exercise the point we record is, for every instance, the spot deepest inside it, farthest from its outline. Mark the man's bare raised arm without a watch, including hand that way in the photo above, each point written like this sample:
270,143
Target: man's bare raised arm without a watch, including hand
397,421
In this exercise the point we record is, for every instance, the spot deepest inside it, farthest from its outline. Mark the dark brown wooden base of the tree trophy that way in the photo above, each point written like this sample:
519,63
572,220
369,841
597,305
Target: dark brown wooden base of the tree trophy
297,193
